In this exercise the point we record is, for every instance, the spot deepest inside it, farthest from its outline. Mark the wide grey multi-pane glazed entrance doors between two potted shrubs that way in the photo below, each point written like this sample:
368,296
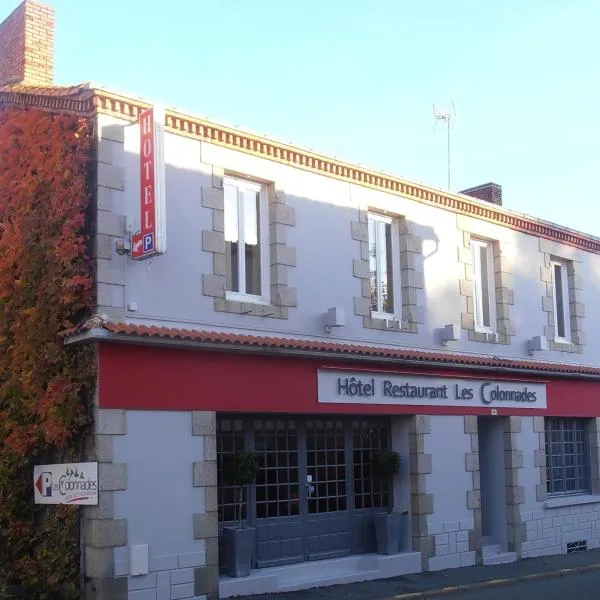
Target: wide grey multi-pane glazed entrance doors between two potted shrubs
314,495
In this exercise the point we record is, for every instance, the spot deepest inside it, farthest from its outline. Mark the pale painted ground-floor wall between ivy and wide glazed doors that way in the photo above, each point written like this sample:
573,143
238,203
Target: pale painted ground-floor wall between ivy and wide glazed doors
160,500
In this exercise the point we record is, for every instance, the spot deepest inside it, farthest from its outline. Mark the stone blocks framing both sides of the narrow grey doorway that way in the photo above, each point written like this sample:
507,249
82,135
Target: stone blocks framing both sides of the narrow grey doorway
515,493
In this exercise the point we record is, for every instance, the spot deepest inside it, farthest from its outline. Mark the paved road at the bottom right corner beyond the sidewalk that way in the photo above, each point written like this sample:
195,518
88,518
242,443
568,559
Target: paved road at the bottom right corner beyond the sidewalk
582,586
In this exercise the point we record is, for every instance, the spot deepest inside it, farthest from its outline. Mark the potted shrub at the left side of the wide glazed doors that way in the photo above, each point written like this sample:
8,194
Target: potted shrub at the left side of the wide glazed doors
240,470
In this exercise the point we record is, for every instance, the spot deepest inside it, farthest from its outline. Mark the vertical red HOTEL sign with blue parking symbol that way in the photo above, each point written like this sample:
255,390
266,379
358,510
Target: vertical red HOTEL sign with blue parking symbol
151,239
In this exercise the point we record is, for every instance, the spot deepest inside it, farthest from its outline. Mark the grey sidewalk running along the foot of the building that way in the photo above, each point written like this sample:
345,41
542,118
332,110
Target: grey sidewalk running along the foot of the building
441,583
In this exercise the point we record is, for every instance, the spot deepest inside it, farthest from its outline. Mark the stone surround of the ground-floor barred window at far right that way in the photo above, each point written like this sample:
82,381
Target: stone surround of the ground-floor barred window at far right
541,490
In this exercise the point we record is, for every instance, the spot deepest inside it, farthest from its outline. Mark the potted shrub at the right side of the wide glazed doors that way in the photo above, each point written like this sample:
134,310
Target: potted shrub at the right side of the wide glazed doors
388,525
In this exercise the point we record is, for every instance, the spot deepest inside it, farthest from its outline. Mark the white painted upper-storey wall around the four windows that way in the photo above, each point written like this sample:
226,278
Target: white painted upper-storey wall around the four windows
169,288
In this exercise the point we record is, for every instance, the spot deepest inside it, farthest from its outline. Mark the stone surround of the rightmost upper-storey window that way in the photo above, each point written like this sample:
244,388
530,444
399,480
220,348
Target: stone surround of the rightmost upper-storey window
552,251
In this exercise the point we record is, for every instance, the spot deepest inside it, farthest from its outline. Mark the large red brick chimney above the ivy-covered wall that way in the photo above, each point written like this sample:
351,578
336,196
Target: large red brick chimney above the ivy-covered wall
27,45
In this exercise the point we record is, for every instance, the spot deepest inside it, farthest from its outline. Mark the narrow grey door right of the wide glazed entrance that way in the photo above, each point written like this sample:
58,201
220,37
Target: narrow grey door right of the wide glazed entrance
493,481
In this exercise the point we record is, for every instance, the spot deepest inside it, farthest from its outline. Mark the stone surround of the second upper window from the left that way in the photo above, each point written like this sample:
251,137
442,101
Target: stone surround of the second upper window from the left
411,275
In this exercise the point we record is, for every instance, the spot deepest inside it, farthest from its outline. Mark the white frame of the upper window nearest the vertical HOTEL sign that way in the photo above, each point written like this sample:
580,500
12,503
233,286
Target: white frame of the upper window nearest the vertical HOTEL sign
263,216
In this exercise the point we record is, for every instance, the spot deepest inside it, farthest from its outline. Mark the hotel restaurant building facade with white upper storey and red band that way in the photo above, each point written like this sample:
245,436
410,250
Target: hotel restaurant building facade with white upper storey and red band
254,295
